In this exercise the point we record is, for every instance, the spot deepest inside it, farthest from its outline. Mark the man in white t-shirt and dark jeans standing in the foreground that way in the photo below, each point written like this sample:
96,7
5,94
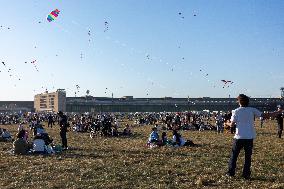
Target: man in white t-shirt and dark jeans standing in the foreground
243,119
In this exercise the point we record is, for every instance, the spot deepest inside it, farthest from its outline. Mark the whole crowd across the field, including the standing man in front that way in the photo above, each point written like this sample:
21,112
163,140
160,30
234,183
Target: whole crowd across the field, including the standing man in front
239,122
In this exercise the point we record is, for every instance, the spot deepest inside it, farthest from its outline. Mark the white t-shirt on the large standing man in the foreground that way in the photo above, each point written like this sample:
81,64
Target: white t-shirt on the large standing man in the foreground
244,119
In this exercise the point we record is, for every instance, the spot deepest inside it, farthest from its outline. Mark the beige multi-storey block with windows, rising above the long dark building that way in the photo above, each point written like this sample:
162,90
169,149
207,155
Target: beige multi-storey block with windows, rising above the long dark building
55,101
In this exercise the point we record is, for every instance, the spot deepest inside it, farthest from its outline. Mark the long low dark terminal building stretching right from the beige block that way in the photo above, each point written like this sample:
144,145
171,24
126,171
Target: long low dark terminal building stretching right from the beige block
167,104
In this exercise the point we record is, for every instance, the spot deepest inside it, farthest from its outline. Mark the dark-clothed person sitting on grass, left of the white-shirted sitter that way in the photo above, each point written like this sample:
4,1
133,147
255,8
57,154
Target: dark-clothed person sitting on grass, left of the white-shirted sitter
20,145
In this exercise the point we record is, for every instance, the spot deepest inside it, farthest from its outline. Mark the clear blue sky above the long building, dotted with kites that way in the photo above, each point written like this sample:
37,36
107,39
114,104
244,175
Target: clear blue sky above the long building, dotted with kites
148,50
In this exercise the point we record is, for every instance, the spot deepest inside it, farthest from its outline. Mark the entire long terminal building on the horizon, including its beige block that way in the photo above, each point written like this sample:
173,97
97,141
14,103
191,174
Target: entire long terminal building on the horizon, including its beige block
57,101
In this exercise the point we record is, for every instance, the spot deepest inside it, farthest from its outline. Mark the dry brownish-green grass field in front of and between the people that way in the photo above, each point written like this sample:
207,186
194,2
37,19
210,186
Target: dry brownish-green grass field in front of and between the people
127,163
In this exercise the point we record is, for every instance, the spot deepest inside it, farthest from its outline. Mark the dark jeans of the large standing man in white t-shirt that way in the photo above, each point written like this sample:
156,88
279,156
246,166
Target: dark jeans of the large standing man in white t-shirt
238,144
